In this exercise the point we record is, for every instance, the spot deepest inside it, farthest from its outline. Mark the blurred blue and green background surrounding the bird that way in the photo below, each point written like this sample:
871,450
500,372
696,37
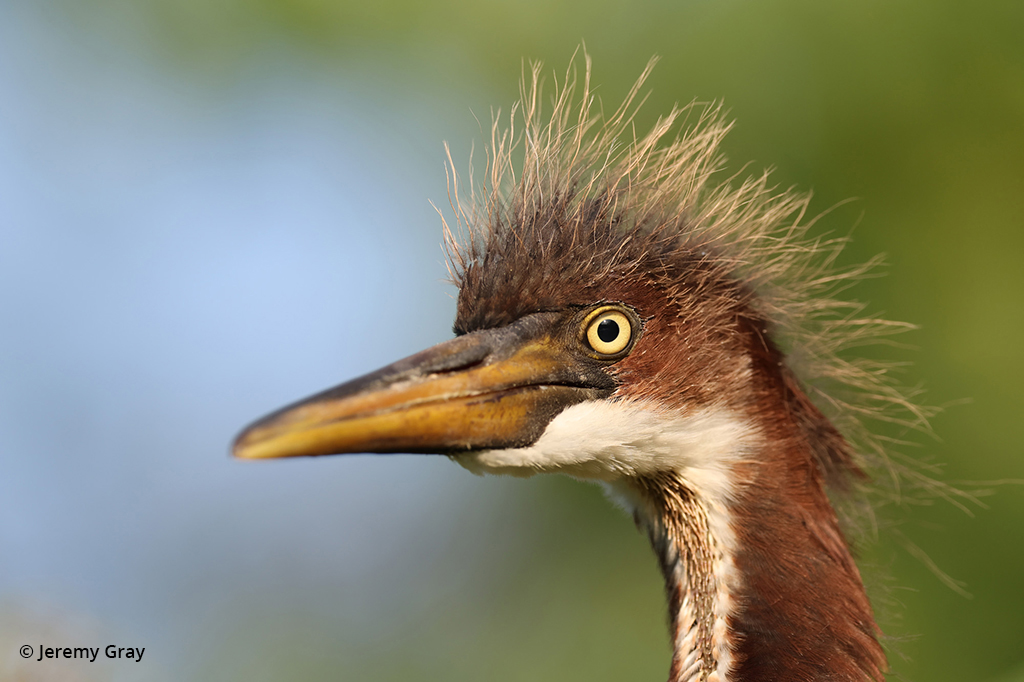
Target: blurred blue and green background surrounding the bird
225,130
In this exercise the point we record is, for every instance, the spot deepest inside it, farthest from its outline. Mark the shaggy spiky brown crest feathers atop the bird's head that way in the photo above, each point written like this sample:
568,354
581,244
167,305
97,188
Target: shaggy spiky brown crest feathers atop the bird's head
574,204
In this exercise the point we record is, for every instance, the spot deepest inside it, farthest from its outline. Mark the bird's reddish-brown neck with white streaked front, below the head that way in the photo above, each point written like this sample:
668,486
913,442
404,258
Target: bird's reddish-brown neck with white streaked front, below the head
761,587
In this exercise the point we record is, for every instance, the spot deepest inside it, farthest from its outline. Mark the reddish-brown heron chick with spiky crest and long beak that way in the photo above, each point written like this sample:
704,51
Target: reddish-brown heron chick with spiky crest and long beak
630,315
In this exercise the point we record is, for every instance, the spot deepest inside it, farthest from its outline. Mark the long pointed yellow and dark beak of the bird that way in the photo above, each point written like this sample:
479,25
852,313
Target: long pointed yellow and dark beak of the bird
490,390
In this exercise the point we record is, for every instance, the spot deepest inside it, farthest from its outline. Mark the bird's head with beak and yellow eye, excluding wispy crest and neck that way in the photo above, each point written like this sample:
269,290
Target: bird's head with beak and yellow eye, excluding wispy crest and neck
557,370
